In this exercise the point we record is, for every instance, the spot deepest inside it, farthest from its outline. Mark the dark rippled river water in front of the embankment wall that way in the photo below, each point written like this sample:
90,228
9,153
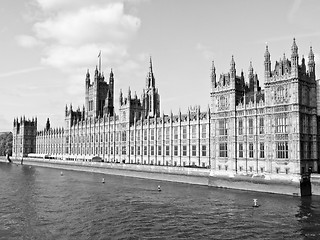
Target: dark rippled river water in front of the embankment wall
43,203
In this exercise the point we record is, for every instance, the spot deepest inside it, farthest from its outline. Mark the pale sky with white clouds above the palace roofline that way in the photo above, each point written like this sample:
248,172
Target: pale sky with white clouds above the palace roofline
48,45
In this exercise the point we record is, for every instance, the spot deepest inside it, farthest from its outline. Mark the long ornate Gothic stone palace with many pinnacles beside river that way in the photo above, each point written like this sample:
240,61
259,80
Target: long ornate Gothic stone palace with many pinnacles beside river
246,130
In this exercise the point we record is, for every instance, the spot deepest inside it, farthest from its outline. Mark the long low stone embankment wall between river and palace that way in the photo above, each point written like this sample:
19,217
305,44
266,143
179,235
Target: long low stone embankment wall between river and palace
196,176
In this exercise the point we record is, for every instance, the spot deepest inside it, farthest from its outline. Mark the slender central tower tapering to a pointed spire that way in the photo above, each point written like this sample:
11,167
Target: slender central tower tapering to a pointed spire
151,97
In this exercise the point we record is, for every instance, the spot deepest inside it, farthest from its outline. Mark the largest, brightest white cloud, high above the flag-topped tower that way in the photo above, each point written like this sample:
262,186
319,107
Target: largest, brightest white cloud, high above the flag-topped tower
91,24
